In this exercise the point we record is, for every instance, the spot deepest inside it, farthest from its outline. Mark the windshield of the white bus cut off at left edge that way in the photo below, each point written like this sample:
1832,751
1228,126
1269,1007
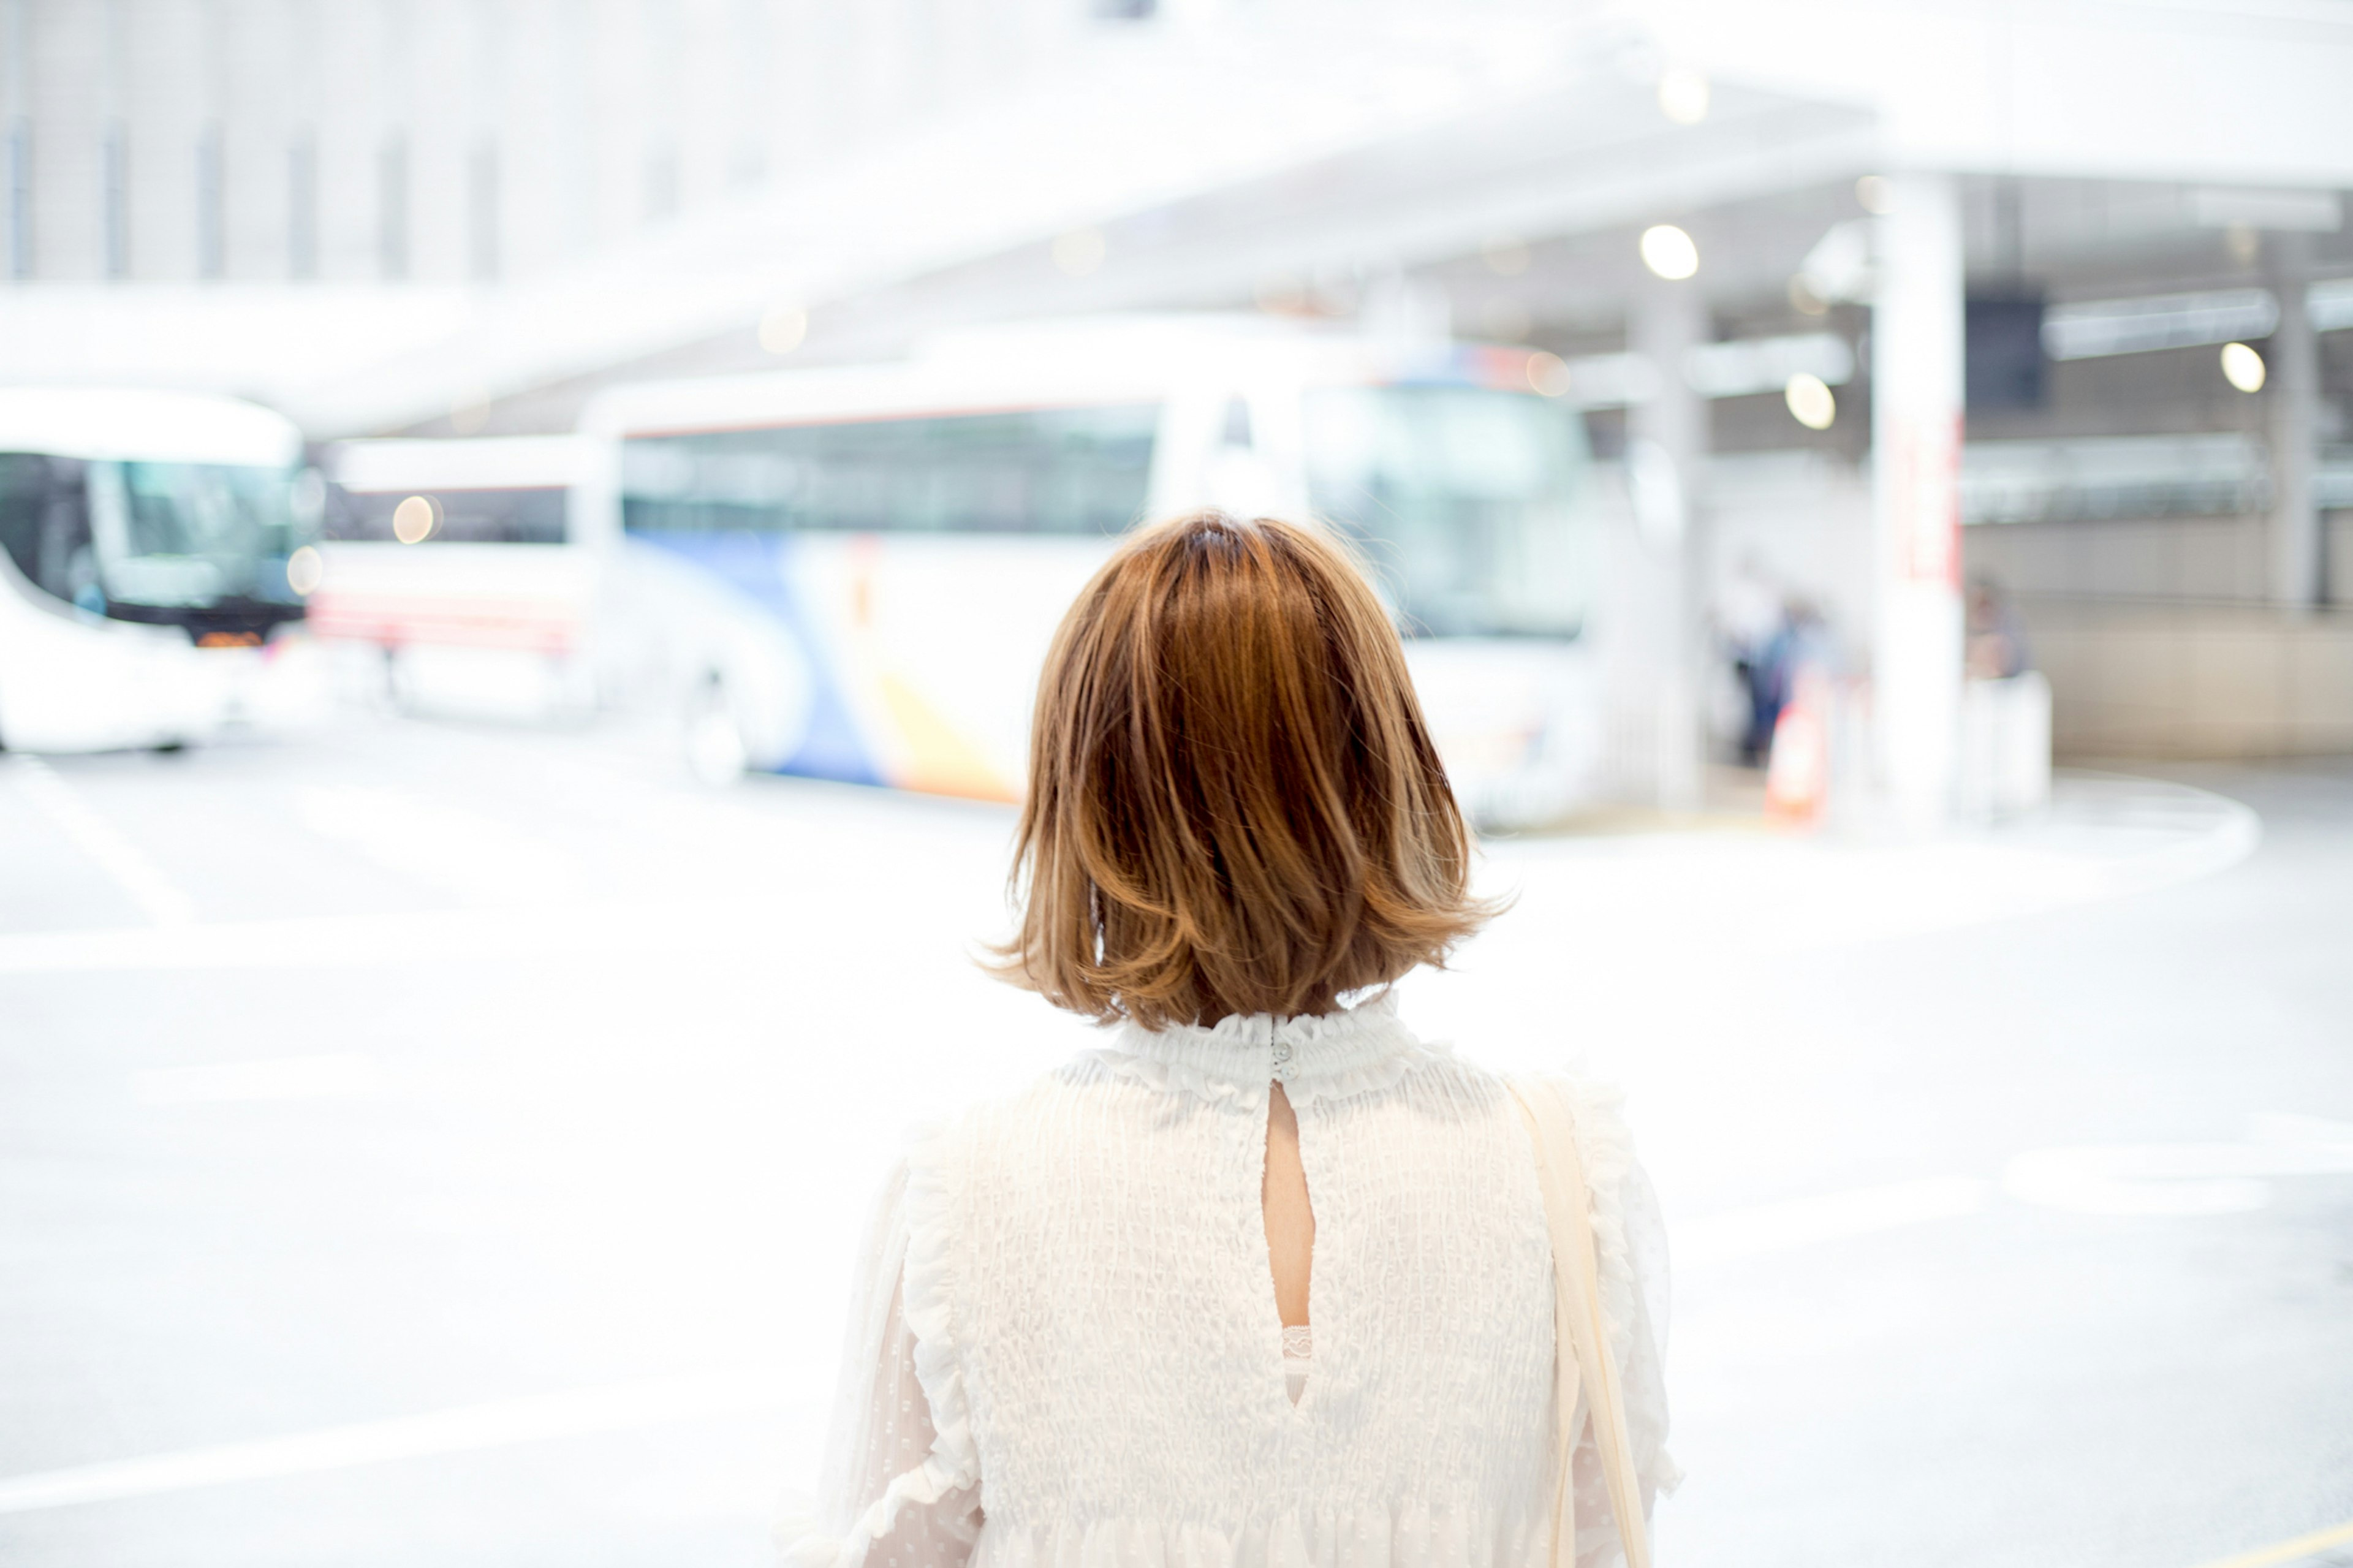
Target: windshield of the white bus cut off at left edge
192,536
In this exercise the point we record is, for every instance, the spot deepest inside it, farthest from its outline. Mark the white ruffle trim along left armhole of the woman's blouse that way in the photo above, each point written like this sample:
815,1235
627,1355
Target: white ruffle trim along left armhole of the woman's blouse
926,1301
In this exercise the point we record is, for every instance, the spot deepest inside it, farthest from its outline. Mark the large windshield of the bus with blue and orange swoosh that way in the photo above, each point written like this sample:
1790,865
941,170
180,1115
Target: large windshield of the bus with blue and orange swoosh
1467,503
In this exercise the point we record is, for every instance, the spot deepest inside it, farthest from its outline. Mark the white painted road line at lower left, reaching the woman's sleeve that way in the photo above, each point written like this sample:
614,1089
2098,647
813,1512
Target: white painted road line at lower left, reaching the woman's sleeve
406,1437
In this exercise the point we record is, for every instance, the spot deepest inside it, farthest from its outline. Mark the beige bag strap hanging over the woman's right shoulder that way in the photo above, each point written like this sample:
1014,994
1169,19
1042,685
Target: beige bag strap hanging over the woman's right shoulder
1580,1327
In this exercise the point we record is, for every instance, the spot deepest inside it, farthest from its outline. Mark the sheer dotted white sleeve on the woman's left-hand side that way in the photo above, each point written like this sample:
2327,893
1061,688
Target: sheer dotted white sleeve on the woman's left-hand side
895,1491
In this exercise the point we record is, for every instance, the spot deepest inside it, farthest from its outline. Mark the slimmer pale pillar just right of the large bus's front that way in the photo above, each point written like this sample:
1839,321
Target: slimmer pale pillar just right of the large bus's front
1667,446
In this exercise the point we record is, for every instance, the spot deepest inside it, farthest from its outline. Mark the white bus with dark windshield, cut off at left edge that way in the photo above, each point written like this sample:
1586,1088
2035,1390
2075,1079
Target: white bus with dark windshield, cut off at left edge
154,550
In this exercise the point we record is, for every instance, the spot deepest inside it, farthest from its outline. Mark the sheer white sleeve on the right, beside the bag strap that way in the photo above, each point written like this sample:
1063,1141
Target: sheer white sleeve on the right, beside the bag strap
1632,1242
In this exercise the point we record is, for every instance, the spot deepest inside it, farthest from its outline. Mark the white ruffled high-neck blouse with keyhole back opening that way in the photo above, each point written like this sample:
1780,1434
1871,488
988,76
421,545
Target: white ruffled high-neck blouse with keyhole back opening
1067,1350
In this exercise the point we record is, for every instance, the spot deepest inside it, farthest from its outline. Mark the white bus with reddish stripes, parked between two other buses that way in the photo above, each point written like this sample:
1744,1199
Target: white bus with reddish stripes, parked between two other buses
453,578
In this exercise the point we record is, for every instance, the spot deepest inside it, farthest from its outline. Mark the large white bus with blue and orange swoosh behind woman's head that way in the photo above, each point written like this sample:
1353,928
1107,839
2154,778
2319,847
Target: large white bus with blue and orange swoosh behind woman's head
855,573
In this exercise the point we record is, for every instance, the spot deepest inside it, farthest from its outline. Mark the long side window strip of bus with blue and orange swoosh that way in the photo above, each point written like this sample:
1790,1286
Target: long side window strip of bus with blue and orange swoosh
1034,472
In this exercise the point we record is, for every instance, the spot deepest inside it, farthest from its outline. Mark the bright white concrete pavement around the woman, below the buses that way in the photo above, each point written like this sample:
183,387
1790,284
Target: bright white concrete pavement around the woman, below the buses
432,1145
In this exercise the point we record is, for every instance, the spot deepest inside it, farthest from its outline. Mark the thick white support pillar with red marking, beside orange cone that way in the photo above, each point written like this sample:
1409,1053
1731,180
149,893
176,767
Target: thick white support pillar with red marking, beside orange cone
1917,411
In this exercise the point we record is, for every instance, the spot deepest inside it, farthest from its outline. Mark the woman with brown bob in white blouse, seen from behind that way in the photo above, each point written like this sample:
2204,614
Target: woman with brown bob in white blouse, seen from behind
1265,1280
